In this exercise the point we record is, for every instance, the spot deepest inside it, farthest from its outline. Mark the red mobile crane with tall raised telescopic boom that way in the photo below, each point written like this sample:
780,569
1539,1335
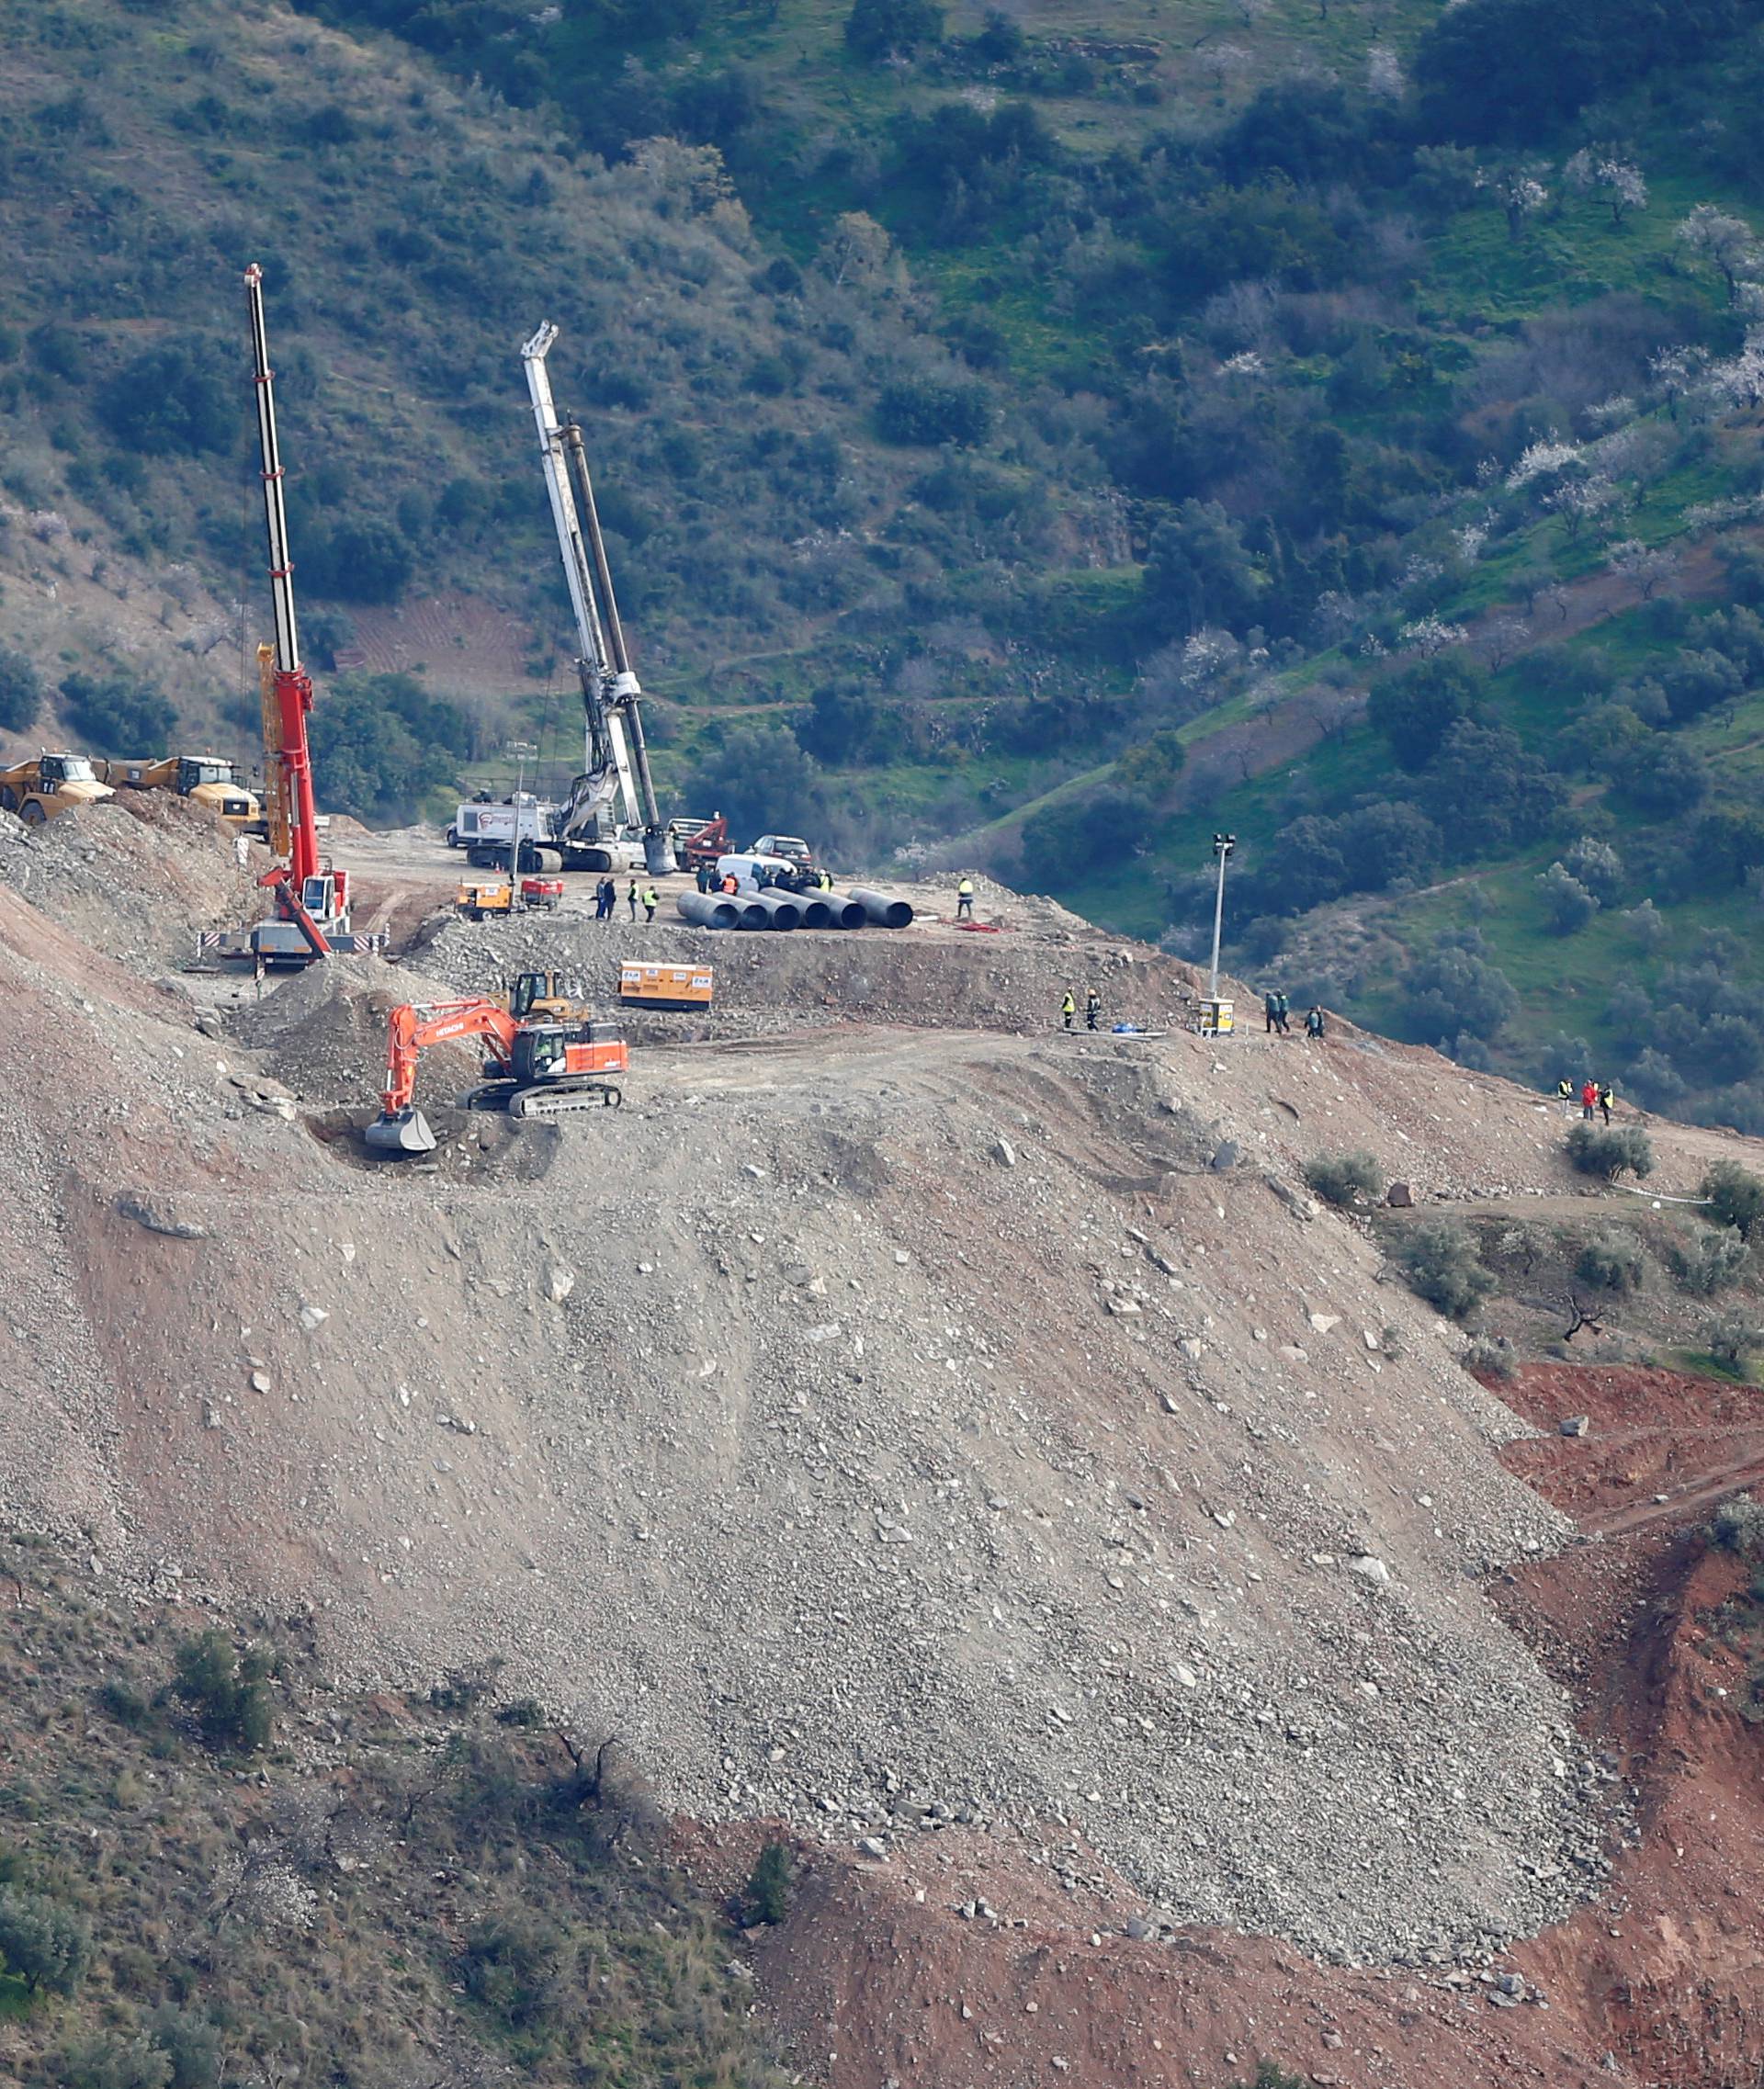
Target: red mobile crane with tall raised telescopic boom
312,899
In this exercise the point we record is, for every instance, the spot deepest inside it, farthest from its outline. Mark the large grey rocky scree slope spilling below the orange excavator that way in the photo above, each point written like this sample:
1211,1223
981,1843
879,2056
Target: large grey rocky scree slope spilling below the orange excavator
873,1428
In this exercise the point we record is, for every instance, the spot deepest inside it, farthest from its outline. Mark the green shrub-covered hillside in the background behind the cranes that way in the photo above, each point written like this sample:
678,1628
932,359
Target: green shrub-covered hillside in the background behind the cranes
1027,436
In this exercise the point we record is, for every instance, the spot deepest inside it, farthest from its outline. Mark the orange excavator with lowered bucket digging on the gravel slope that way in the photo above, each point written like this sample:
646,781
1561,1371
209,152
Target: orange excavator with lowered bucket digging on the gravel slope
532,1069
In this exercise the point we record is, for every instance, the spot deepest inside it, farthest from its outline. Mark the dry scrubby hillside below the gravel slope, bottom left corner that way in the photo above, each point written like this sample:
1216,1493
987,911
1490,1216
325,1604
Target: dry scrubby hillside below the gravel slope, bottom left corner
218,1869
